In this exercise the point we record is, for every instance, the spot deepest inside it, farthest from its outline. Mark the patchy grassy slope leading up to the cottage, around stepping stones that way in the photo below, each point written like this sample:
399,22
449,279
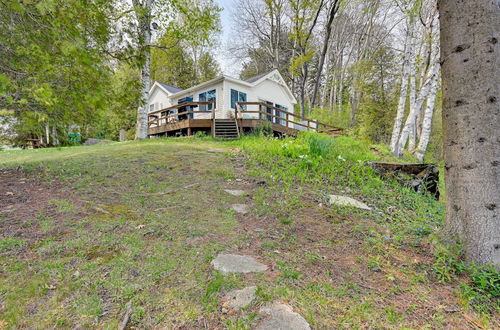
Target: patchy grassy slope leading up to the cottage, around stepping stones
140,222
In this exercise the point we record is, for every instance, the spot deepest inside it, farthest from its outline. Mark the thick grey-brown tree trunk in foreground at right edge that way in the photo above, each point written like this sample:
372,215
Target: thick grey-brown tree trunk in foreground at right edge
470,57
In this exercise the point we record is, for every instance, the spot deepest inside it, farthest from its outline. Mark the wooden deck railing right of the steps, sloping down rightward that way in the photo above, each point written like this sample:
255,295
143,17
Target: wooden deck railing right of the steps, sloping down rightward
282,117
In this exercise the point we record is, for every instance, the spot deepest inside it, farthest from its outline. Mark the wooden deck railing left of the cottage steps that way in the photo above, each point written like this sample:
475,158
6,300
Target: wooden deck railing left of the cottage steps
156,118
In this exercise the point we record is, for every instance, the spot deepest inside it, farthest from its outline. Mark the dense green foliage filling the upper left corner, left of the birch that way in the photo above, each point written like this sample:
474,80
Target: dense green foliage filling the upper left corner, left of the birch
53,63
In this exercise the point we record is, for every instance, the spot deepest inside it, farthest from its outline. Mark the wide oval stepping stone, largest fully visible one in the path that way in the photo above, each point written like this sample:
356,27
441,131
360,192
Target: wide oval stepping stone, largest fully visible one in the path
233,263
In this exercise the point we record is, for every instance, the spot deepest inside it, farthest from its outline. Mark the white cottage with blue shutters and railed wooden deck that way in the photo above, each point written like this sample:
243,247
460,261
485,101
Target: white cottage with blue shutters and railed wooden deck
227,107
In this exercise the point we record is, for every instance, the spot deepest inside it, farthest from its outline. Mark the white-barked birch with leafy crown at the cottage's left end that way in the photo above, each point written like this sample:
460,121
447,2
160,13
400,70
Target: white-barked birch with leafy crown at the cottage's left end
141,20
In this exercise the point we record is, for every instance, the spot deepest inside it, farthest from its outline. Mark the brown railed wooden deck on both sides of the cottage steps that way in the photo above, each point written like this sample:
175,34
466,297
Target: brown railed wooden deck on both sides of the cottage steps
161,123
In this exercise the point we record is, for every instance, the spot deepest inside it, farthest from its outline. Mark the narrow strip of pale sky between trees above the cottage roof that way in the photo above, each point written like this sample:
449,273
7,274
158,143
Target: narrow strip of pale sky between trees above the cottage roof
228,66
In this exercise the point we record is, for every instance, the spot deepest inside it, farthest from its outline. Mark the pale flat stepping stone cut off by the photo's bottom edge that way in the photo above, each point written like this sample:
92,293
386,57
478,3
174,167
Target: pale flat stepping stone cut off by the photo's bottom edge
281,317
